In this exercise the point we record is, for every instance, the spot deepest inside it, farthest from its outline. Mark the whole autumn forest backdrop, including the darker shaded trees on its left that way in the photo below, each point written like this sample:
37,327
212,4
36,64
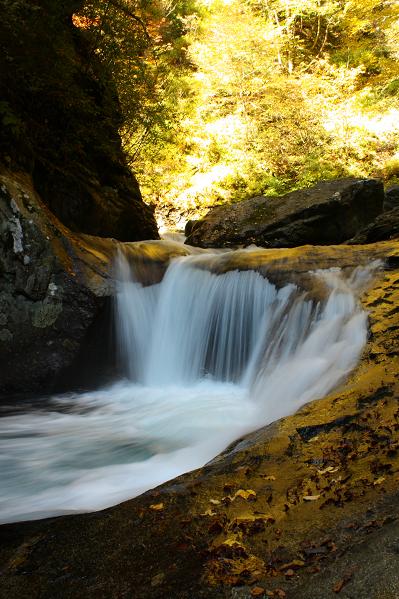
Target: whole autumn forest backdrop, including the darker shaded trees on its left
224,99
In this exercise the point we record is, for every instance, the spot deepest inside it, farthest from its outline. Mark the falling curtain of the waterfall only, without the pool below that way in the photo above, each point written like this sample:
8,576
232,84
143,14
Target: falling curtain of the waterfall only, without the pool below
238,327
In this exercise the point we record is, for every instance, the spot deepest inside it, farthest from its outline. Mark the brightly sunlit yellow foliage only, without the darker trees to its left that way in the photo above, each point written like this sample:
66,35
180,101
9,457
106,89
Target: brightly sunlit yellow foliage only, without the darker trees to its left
284,93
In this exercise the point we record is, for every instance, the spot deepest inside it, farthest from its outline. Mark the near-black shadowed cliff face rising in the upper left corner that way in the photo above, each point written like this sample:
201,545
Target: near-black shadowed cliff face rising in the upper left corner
60,116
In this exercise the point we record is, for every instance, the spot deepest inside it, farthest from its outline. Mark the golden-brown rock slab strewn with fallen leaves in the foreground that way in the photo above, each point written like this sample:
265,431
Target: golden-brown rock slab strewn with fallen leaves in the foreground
305,508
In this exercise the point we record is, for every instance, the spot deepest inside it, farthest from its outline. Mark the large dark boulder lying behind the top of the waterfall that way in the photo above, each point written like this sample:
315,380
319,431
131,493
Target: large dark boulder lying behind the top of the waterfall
329,213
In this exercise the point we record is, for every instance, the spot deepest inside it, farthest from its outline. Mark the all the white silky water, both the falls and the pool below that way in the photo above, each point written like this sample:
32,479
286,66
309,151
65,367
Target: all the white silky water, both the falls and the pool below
208,357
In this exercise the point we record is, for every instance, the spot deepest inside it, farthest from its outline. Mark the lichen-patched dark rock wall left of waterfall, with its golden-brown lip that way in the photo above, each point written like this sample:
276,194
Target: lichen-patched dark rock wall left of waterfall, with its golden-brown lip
56,290
